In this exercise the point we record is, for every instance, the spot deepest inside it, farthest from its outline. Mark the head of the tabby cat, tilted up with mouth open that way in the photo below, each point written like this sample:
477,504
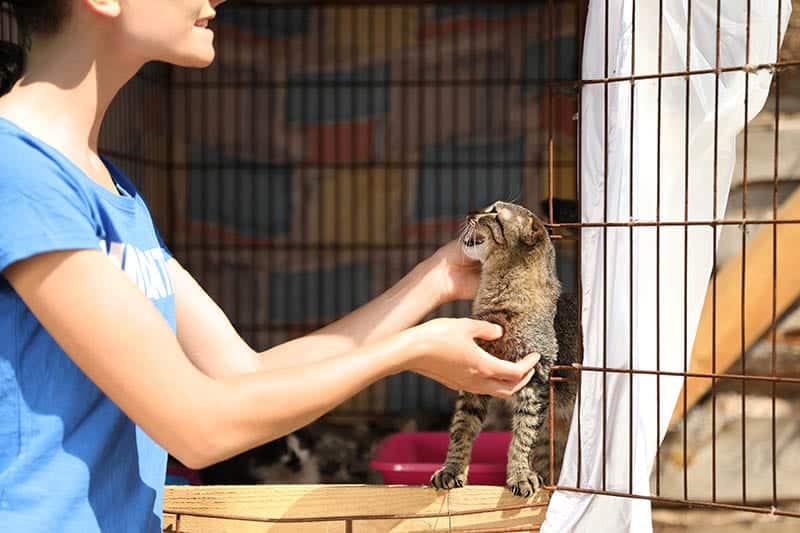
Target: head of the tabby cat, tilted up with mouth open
506,232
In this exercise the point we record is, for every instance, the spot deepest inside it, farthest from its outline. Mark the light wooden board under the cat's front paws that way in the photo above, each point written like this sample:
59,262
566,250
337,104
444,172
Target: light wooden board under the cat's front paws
343,508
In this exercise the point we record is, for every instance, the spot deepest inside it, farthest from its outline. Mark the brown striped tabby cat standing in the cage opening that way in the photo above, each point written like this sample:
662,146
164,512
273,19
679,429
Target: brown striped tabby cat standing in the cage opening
520,291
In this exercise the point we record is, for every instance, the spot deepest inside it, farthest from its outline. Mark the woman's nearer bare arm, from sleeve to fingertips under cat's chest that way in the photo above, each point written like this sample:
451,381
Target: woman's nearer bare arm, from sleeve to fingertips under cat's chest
123,344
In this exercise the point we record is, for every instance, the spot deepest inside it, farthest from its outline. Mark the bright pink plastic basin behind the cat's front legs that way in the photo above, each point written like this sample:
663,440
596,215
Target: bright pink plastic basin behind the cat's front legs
411,458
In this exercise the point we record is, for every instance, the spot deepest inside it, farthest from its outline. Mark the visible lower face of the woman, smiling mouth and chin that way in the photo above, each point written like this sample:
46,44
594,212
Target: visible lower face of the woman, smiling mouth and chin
174,31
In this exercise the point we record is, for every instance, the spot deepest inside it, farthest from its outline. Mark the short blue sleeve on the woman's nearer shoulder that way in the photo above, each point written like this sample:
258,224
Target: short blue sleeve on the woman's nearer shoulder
40,210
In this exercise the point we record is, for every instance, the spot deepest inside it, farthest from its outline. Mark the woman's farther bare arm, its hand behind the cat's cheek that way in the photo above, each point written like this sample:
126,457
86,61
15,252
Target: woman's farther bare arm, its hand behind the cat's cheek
208,338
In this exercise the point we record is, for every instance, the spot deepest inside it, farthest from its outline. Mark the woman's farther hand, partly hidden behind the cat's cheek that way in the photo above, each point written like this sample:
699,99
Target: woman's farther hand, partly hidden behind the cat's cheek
458,275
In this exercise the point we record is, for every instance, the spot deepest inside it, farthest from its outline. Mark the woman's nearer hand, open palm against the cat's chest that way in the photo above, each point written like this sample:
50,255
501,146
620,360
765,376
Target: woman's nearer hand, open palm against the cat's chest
448,353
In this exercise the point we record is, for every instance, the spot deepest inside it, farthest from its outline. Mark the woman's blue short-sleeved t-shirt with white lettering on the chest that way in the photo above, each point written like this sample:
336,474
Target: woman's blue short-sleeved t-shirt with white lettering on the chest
70,459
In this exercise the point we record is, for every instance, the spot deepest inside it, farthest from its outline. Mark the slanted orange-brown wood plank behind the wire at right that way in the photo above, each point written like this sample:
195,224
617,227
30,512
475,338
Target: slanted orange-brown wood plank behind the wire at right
758,301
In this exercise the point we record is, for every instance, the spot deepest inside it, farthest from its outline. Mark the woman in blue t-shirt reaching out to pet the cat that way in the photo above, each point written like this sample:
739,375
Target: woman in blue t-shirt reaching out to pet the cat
111,355
